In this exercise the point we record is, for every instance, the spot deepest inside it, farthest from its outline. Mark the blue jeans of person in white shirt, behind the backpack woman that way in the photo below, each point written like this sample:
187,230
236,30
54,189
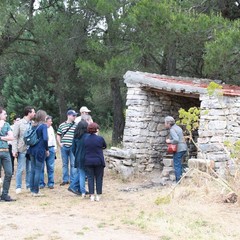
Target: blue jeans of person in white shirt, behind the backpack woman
50,163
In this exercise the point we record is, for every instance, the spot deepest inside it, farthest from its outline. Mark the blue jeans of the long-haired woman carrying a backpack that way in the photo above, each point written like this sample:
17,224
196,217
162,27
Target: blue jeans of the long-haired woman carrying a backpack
36,168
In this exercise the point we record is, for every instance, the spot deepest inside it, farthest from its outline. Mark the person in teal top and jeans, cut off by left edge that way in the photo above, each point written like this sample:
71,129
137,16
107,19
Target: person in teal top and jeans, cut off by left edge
6,135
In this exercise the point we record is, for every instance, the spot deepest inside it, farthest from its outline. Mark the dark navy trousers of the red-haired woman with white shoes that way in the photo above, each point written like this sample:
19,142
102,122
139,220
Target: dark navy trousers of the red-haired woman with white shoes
95,173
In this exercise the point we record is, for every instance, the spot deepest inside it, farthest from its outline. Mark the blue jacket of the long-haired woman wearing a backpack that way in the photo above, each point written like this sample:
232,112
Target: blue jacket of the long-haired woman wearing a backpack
38,151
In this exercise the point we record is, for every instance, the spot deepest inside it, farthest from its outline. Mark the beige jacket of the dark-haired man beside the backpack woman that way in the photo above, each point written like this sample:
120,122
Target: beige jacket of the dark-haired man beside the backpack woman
18,144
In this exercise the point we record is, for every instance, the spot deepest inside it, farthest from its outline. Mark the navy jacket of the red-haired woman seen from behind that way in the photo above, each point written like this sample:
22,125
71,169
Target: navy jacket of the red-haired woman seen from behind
94,146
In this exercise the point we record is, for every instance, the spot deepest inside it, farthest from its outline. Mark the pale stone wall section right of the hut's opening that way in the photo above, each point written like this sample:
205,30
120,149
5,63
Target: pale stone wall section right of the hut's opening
219,122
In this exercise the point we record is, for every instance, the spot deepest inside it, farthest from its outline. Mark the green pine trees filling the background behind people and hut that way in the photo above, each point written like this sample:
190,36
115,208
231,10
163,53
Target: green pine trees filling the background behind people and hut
57,54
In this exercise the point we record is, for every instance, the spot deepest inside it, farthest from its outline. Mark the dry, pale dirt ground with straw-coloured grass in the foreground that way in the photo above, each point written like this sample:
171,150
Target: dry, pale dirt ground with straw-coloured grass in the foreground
127,210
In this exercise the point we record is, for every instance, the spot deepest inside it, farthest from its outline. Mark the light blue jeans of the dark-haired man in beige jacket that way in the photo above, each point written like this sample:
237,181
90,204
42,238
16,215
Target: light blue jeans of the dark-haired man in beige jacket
23,164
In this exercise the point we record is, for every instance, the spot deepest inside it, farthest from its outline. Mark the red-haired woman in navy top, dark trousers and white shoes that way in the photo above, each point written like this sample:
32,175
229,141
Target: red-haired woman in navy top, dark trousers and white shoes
94,160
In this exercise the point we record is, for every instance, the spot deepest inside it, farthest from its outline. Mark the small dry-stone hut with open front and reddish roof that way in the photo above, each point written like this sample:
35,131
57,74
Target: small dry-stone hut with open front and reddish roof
151,97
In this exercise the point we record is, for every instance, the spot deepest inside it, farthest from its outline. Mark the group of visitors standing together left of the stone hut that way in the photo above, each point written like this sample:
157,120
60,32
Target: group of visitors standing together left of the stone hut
80,145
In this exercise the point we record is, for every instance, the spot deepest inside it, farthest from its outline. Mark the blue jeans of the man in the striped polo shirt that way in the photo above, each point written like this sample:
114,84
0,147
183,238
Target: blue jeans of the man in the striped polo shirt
67,155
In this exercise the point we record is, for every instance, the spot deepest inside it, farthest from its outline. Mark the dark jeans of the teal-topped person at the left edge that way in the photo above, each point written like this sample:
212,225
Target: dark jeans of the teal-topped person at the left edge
6,163
